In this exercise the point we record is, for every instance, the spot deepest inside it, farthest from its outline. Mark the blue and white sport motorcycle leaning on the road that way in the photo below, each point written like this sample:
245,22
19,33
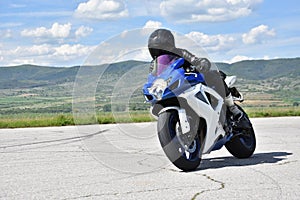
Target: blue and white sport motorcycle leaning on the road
189,115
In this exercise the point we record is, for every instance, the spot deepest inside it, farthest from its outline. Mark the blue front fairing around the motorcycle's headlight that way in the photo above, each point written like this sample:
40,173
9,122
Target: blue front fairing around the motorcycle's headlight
177,81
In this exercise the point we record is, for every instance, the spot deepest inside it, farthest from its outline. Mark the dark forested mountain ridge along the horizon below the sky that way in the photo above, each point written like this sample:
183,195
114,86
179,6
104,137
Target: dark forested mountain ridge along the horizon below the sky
29,76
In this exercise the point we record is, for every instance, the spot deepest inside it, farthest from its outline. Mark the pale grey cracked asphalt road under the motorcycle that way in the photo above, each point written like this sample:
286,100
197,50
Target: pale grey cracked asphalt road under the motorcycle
126,162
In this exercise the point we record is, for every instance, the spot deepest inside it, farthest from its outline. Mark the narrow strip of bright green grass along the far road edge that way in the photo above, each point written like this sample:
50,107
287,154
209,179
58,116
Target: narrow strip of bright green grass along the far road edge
50,119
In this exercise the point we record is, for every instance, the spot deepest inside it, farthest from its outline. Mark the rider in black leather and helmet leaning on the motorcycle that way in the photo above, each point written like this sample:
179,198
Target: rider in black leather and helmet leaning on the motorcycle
162,42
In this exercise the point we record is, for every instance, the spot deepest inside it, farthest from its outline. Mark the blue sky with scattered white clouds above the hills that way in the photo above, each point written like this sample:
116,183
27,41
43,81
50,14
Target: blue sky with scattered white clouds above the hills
66,33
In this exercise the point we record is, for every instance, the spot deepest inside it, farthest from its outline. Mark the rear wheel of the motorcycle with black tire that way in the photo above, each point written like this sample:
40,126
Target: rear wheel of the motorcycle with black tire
243,143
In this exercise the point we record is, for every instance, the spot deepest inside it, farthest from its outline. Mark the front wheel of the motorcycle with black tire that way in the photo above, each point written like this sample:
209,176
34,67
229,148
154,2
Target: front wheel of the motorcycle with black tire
183,150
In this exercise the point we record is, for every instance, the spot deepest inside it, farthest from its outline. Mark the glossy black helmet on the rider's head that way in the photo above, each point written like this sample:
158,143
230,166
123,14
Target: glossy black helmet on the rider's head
160,42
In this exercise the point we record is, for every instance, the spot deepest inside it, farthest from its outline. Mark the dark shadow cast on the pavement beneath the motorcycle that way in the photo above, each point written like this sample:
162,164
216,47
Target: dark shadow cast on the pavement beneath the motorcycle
259,158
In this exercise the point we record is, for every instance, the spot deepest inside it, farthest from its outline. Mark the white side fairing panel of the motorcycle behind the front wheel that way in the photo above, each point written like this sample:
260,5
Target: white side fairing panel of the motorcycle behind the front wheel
206,111
